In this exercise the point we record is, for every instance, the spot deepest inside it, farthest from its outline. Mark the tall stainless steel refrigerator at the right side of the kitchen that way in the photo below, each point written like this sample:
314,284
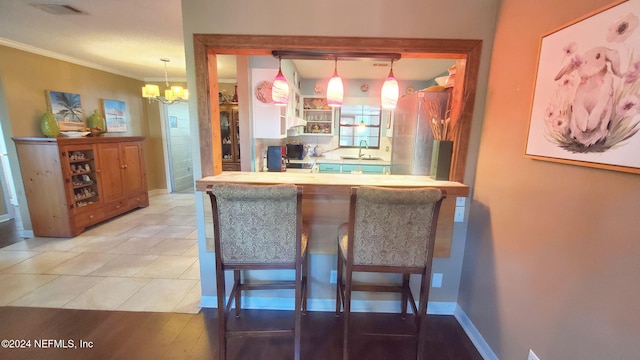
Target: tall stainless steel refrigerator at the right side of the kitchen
412,142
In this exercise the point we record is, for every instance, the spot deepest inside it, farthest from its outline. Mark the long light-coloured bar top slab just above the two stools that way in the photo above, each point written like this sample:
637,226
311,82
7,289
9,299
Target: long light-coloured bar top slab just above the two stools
332,184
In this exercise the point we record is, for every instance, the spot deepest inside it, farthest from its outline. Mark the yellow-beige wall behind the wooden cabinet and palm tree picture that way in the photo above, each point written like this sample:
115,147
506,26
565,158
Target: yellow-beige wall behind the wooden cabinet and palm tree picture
25,77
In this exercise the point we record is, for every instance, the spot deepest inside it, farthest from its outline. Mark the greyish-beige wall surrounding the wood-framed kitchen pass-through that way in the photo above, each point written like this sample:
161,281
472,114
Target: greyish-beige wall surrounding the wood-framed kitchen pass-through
379,18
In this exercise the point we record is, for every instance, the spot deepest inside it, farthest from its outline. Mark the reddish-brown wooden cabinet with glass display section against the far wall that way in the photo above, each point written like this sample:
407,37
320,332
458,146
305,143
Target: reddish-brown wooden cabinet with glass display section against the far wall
74,183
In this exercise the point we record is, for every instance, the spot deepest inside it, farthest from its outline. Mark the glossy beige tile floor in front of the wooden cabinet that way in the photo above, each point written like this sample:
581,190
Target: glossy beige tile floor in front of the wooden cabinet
145,260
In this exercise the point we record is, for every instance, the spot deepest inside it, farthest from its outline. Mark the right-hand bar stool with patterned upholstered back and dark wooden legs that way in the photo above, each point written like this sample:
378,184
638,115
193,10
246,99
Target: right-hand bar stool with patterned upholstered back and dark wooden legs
389,231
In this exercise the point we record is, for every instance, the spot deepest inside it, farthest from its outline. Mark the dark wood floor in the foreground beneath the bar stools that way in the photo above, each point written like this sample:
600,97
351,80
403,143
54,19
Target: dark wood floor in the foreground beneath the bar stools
147,335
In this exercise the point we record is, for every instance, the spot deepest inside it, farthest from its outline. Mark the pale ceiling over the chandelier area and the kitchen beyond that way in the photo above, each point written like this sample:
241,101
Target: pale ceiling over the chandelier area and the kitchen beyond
129,37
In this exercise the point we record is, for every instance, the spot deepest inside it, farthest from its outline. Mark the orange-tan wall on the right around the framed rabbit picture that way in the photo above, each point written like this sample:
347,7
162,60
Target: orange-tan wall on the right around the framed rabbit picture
553,251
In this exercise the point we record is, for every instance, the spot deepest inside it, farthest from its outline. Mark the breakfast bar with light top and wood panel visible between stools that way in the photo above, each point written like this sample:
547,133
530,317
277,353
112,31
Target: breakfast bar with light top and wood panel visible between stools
326,200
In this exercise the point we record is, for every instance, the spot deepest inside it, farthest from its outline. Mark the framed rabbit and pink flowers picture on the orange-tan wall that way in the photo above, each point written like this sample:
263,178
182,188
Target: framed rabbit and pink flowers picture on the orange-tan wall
586,103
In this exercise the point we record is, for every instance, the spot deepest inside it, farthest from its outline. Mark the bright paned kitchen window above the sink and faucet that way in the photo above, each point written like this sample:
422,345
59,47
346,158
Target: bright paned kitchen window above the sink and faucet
357,123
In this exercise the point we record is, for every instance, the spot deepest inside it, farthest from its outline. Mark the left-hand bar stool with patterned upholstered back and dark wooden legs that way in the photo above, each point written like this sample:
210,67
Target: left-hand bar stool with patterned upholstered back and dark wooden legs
258,227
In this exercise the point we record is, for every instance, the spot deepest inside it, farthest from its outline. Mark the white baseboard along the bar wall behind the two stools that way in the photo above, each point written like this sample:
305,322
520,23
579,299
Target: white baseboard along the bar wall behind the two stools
274,303
